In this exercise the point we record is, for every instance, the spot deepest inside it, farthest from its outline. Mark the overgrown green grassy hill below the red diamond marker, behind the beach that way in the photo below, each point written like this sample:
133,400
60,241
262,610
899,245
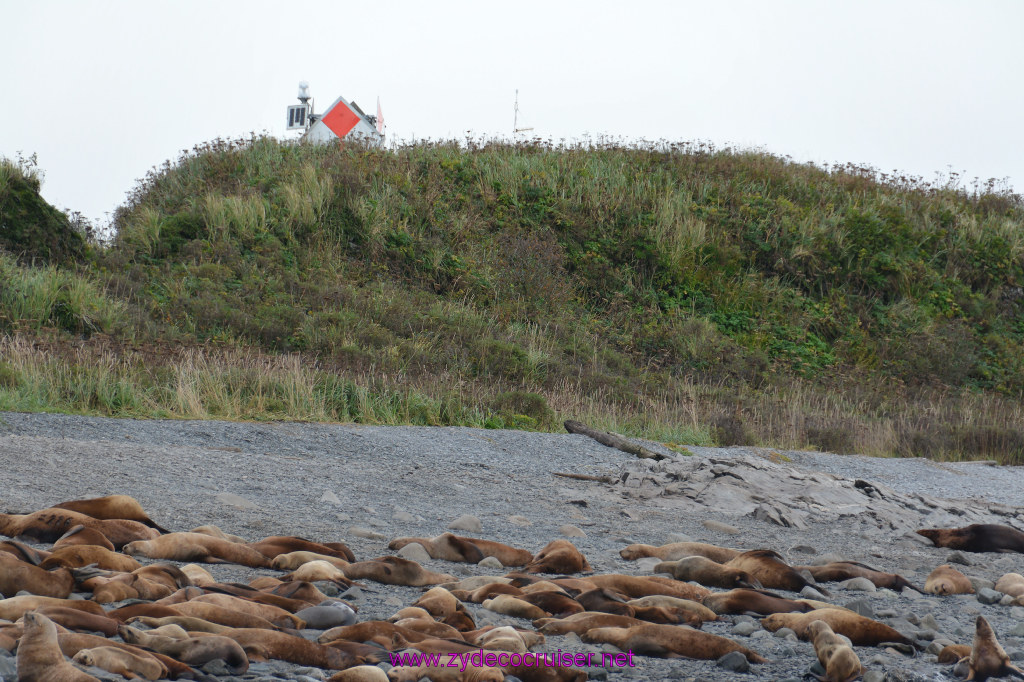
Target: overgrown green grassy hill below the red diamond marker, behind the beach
689,294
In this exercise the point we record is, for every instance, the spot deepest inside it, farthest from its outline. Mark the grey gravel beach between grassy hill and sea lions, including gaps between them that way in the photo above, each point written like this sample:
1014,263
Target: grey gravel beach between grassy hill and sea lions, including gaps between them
366,486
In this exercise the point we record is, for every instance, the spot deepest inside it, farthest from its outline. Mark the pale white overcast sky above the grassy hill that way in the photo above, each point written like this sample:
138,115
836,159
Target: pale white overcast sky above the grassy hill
104,91
